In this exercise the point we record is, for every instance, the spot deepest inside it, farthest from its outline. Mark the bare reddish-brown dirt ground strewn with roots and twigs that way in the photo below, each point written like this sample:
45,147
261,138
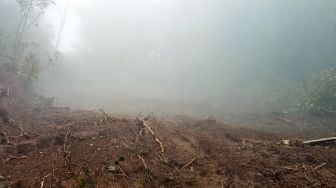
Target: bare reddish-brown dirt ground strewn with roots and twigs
65,148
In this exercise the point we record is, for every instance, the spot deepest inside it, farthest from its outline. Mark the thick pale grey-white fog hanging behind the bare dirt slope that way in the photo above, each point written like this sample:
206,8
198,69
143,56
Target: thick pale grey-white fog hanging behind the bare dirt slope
189,57
